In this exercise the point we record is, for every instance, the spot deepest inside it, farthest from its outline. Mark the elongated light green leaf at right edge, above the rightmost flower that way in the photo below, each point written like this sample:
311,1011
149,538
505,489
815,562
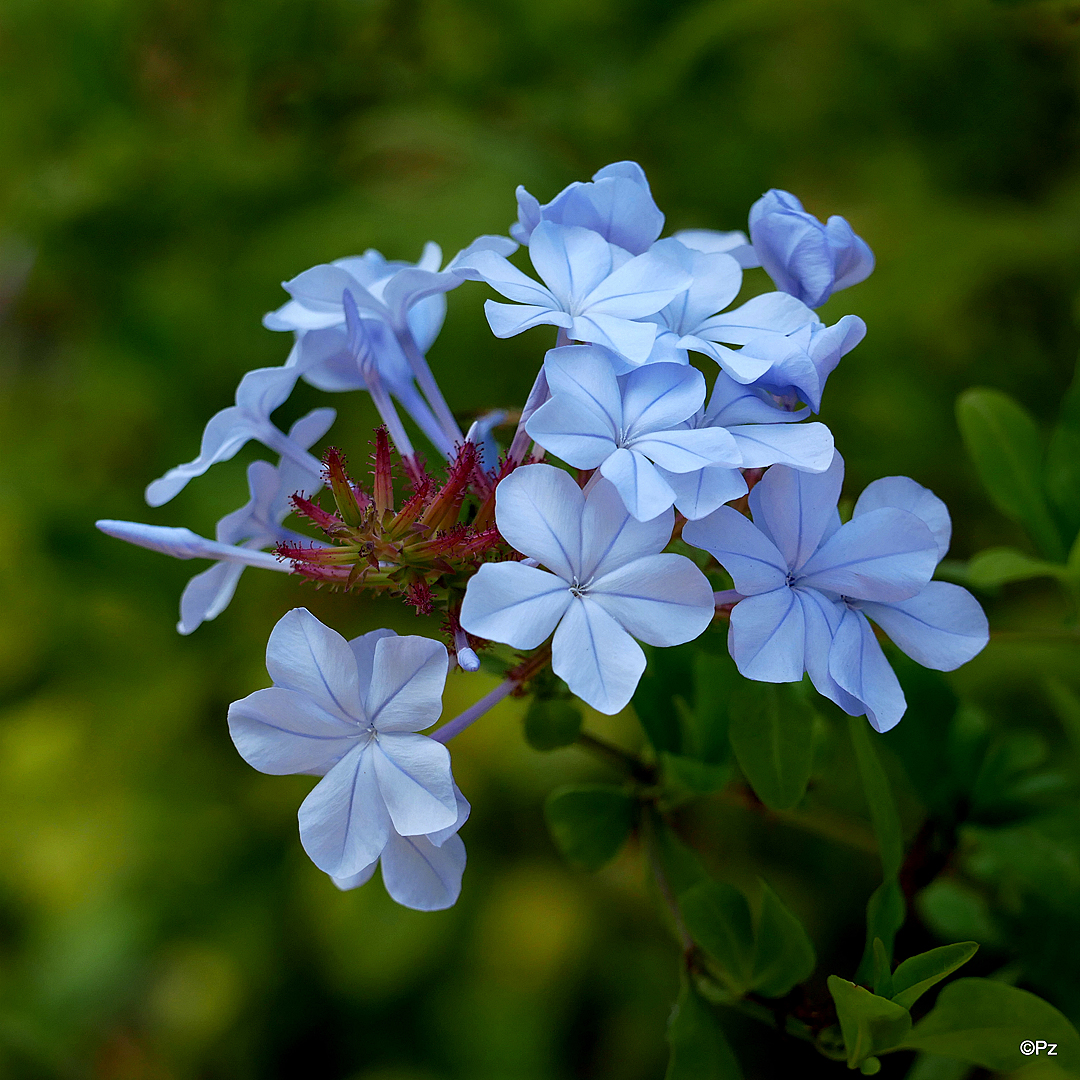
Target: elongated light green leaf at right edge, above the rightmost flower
1005,445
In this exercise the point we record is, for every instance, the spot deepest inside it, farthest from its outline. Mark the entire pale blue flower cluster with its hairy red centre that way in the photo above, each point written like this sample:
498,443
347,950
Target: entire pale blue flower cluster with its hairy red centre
663,402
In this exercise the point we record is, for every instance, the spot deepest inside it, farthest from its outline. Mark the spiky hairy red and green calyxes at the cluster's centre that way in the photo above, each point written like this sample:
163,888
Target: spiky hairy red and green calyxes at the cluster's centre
426,551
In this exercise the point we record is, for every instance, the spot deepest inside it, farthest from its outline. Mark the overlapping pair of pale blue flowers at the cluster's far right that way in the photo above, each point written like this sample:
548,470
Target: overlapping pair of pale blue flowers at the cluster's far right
808,584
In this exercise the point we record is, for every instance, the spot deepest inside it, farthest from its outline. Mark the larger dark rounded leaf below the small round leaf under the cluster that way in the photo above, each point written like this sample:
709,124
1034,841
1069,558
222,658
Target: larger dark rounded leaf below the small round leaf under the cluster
589,825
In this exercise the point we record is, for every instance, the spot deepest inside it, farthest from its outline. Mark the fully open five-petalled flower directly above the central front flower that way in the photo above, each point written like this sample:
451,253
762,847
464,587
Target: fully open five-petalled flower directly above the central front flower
629,427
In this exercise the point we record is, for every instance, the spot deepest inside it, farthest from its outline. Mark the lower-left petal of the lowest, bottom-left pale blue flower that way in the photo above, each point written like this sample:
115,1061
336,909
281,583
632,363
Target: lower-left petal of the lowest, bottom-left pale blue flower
344,821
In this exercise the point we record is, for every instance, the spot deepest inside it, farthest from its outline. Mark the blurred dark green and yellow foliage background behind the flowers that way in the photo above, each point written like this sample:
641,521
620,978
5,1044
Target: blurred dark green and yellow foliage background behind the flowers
165,167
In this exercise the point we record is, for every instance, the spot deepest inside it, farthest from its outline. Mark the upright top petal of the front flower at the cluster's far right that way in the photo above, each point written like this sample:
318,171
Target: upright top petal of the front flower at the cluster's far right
795,508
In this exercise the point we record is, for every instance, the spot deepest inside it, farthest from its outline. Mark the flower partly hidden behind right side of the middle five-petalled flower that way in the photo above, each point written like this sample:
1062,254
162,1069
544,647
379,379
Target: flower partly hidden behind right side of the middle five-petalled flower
763,436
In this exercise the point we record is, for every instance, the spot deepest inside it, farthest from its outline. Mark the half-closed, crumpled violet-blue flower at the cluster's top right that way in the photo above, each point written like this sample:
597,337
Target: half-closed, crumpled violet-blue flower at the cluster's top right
803,256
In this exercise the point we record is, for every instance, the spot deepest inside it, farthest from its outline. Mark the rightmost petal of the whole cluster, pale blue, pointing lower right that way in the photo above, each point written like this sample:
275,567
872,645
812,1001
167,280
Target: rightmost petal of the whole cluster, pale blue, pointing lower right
941,628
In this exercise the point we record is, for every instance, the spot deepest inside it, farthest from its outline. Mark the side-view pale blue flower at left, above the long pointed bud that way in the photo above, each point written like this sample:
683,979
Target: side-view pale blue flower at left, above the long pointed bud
259,395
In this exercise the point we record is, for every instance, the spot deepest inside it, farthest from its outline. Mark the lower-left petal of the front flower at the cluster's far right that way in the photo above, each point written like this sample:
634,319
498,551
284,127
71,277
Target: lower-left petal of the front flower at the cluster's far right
768,637
